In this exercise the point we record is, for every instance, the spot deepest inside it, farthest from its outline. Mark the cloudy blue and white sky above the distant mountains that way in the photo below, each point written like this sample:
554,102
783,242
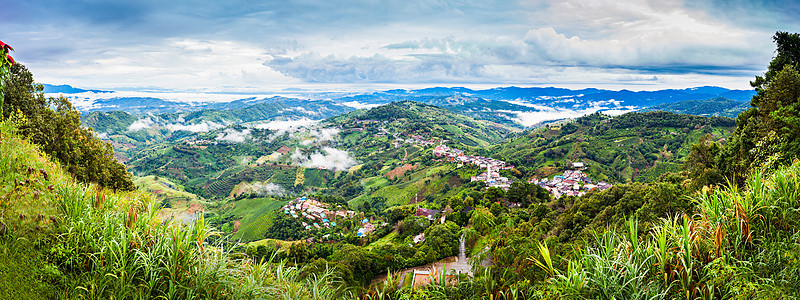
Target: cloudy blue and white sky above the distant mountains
254,46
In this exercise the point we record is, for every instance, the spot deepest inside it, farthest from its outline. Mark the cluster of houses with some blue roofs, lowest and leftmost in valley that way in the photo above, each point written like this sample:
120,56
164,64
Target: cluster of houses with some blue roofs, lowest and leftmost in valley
314,213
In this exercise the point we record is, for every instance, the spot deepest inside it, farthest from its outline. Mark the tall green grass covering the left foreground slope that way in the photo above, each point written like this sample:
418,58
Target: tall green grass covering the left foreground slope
110,245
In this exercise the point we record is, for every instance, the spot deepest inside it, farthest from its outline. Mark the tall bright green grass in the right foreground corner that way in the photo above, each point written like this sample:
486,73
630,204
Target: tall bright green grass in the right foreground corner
740,243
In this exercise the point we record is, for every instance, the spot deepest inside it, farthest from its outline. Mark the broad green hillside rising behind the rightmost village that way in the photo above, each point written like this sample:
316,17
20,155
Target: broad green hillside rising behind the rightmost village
633,146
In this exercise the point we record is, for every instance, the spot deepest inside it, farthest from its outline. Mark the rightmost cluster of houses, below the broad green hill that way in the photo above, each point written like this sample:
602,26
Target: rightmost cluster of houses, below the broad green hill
571,183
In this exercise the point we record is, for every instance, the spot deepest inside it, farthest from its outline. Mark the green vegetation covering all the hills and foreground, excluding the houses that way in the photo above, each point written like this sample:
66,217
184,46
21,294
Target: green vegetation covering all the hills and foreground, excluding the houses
723,226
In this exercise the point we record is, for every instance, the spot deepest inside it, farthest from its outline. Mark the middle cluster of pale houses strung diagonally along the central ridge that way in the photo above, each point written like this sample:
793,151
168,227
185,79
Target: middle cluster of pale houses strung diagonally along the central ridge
493,166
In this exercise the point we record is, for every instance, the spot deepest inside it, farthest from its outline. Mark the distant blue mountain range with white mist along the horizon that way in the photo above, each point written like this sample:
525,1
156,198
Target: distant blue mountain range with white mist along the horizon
518,107
